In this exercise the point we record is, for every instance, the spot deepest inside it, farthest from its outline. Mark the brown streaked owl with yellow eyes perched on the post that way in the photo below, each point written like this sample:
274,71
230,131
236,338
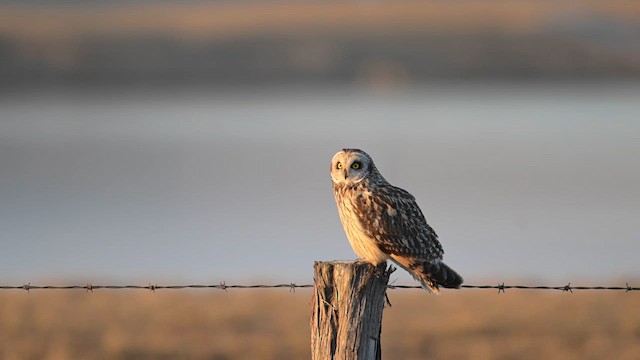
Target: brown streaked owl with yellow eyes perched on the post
384,222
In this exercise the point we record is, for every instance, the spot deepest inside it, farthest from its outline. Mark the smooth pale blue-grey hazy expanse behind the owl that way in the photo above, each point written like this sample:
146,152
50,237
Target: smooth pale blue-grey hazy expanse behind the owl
530,182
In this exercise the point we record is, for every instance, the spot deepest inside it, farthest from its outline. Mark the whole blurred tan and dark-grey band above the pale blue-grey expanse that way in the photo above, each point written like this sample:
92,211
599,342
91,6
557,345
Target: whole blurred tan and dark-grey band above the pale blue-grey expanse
377,44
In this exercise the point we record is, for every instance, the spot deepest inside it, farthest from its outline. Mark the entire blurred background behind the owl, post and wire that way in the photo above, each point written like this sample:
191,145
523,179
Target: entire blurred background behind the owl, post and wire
184,142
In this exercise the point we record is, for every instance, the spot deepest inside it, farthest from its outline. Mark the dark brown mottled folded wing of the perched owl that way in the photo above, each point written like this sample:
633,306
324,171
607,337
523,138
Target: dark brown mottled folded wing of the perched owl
391,217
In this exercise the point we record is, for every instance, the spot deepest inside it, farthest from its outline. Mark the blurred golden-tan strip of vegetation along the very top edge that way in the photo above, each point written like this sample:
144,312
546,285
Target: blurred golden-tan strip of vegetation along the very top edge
227,19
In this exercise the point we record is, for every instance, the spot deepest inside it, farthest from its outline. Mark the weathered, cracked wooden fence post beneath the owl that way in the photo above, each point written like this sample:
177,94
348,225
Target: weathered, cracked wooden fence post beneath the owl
348,299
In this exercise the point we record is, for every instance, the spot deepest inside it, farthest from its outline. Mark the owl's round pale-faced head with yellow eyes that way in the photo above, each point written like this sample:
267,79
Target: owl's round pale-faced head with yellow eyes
350,166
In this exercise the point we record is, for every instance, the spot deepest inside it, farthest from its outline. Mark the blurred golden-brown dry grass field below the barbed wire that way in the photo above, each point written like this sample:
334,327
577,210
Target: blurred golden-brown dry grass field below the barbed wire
274,324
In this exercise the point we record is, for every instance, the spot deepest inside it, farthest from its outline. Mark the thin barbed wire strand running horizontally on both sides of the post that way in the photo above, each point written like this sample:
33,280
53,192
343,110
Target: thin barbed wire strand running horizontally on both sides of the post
501,287
